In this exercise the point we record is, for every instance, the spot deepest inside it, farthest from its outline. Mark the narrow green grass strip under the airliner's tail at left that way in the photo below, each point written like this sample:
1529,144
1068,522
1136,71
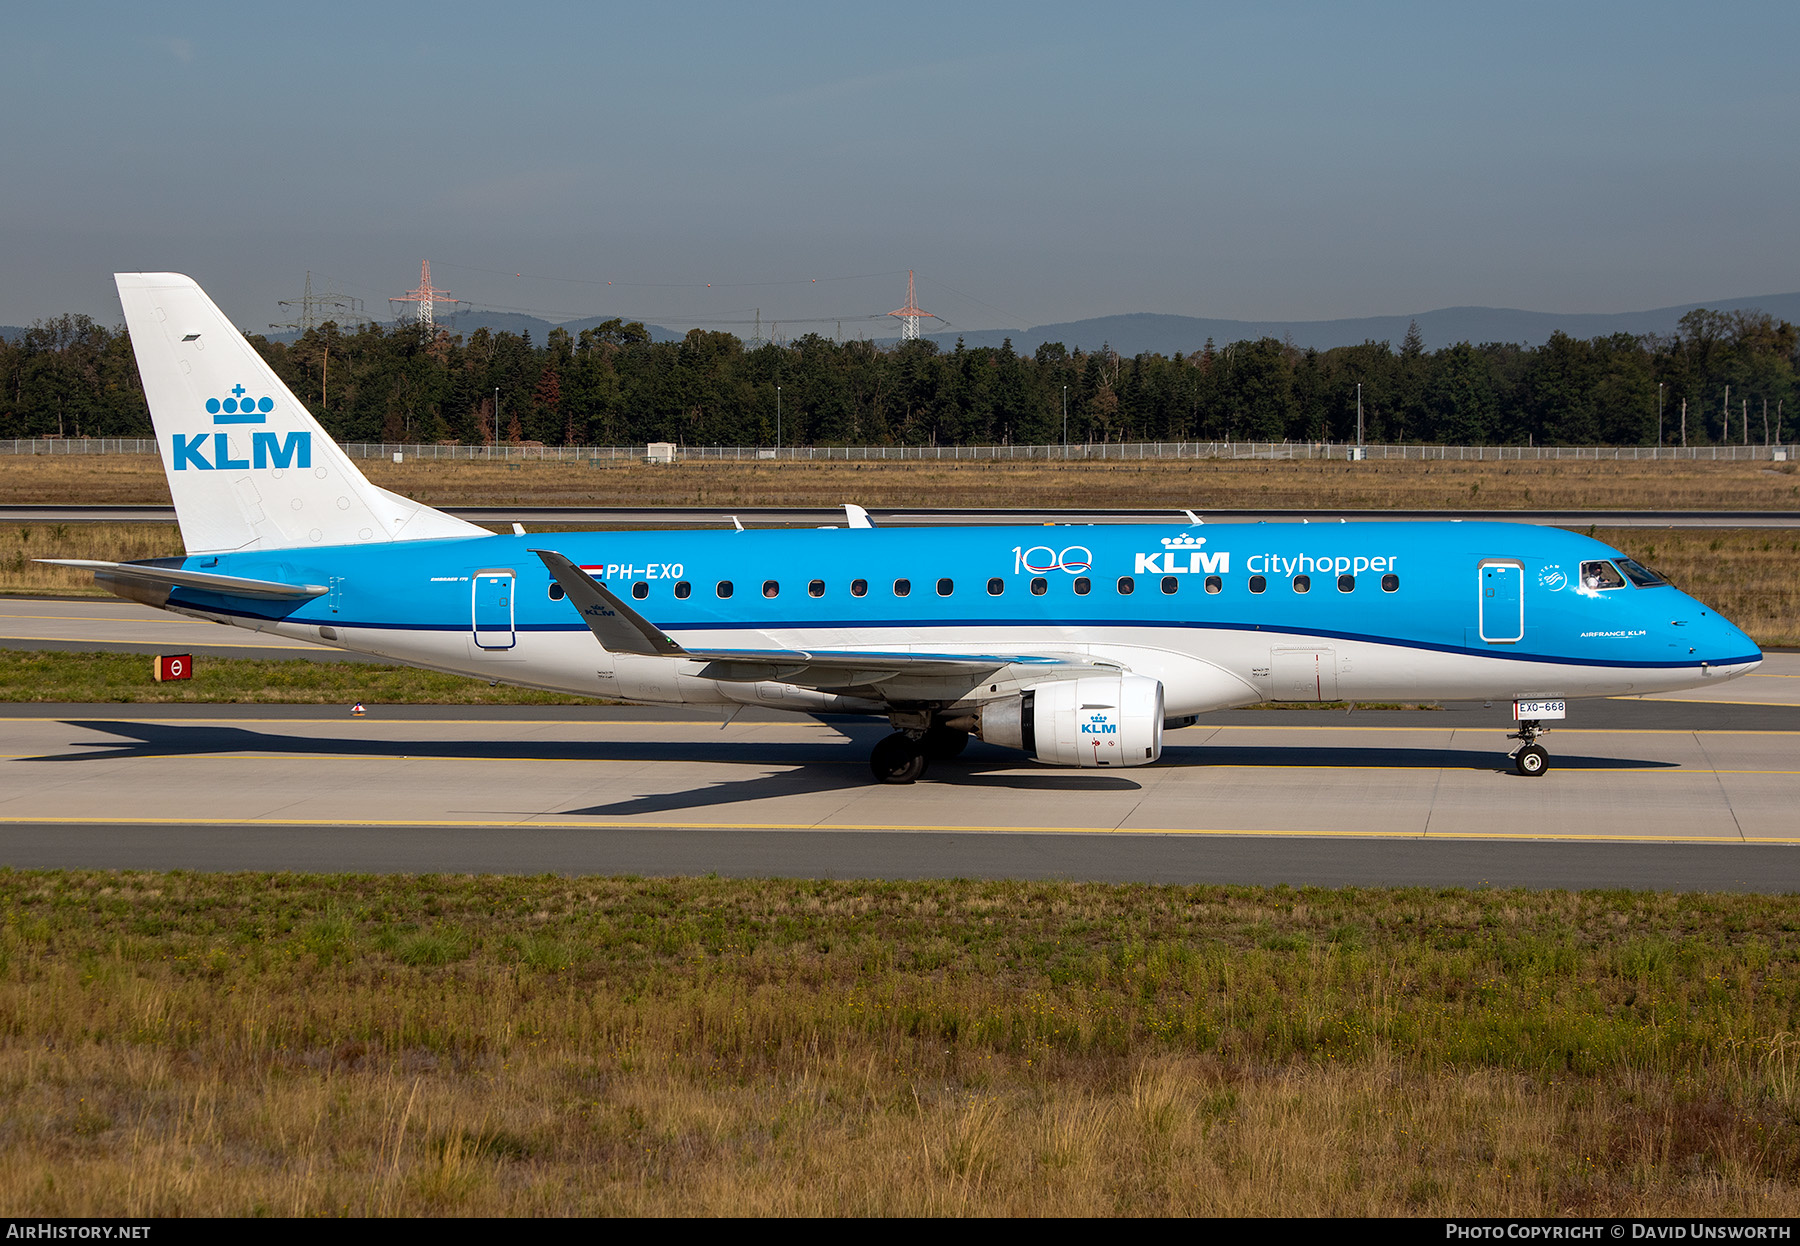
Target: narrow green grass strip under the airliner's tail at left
127,678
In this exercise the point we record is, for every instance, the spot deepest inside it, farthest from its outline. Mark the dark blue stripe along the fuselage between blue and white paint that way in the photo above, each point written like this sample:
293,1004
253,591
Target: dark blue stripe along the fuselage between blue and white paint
919,626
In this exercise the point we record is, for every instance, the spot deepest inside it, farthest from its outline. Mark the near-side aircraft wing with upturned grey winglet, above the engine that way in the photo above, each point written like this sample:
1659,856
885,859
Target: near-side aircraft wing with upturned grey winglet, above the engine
620,629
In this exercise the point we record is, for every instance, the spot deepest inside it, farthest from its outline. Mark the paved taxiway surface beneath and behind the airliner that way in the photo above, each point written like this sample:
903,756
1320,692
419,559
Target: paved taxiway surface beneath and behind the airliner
1684,791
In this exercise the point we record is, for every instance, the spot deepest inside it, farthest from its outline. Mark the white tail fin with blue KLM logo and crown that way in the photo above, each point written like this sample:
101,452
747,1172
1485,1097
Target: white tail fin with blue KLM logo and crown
247,464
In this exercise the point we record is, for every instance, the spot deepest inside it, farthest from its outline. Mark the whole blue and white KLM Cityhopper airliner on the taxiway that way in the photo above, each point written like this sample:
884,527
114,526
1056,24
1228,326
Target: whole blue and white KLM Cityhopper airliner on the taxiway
1075,646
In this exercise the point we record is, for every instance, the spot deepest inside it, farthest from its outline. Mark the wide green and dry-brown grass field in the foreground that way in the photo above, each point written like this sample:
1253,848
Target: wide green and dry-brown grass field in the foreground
240,1045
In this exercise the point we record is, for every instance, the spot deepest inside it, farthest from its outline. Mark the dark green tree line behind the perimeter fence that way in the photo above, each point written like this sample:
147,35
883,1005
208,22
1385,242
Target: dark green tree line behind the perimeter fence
615,386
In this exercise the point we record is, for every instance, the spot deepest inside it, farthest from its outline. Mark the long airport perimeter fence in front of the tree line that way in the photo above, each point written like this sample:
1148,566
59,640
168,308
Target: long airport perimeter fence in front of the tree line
1115,451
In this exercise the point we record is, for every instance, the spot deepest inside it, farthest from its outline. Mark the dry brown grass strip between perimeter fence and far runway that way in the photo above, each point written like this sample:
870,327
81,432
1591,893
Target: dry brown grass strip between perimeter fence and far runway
1200,485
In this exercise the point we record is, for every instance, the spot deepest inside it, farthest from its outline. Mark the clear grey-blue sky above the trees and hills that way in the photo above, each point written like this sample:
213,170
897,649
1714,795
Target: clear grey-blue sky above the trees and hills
1034,163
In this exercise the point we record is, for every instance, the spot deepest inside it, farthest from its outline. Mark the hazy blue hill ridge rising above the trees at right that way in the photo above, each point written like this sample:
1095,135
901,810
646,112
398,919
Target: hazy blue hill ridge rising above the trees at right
1446,327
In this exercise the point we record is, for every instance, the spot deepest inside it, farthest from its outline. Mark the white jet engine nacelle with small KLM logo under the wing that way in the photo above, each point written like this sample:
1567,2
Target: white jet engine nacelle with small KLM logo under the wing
1090,721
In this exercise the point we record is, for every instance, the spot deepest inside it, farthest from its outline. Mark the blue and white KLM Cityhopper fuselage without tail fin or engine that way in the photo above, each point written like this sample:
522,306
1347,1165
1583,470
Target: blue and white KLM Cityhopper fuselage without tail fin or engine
1407,609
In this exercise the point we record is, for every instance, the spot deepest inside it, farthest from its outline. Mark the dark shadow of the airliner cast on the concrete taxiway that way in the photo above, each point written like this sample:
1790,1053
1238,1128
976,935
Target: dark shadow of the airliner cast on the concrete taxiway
805,766
